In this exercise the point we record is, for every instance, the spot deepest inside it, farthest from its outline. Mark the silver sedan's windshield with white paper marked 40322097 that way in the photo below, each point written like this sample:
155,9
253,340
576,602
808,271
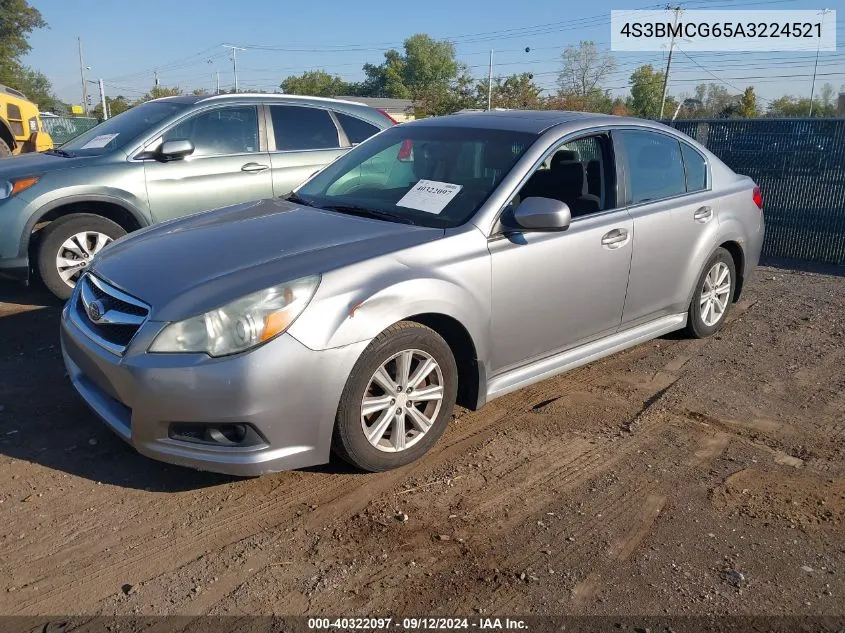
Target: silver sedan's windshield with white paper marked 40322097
431,176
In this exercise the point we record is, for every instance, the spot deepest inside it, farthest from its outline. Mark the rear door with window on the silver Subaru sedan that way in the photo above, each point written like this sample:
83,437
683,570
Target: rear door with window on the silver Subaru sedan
674,210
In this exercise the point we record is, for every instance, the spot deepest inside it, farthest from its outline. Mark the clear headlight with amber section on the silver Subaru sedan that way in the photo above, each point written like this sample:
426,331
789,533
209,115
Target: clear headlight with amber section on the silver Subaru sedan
241,324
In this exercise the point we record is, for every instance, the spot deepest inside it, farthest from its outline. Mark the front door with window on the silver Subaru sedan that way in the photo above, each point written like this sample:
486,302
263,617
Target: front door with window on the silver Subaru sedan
555,290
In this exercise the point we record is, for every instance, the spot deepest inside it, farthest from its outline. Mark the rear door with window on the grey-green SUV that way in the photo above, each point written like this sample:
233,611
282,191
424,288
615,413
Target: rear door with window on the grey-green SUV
303,139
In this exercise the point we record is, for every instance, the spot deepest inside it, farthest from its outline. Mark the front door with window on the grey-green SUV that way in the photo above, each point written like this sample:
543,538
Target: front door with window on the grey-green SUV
228,165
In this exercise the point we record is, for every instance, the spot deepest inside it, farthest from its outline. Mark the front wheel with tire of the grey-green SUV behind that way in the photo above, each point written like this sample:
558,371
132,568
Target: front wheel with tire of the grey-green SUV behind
58,234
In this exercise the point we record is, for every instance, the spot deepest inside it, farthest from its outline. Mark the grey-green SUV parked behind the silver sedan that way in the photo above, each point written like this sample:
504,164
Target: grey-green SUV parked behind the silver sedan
161,160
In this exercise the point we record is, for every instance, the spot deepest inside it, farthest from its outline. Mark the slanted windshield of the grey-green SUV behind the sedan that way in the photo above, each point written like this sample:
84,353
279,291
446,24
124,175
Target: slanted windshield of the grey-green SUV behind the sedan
122,129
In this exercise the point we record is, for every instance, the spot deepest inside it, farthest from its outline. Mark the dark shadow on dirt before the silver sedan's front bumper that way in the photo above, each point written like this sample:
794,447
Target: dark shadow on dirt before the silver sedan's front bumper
43,421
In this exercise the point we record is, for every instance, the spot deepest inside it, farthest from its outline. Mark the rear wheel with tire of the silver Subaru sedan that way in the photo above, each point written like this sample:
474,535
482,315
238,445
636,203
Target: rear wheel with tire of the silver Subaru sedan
706,312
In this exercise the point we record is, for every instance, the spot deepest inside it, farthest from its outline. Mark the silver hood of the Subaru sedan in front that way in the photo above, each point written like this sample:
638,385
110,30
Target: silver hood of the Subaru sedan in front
194,264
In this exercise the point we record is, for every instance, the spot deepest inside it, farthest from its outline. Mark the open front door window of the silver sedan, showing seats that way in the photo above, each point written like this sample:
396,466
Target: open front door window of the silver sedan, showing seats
579,173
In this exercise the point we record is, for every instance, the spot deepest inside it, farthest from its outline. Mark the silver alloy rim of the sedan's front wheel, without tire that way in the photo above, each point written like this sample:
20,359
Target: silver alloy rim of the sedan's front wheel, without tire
402,400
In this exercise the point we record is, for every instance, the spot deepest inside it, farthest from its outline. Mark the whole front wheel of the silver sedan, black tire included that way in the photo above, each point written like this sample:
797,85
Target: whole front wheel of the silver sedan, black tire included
349,440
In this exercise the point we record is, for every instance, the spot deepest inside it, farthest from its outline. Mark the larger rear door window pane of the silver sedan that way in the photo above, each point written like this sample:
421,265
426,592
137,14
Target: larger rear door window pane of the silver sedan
655,168
